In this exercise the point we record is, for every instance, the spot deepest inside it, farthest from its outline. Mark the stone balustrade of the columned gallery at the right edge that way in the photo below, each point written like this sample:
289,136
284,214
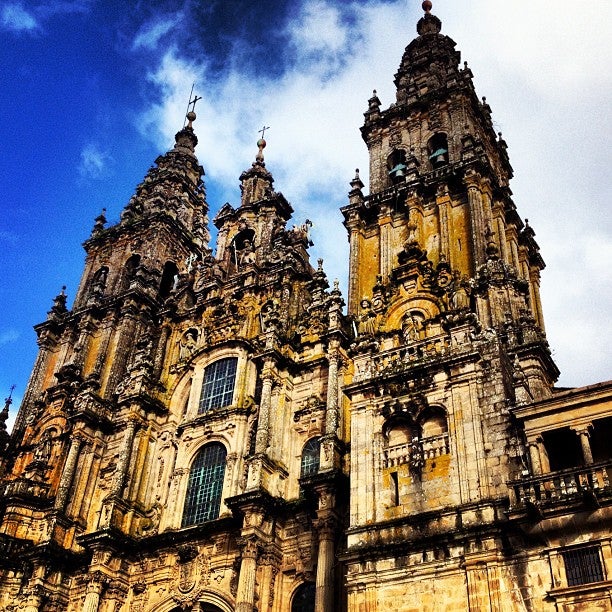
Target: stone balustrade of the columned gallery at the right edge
587,485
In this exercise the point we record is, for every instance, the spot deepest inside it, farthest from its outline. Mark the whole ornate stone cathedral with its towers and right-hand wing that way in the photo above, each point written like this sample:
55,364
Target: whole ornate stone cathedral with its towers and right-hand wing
215,429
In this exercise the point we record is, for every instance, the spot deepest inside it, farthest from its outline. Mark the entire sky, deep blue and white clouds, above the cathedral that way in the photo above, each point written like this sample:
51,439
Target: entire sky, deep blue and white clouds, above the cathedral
94,90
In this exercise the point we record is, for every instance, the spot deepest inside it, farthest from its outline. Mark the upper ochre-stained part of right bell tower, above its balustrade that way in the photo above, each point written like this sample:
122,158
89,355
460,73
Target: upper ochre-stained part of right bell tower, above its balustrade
439,230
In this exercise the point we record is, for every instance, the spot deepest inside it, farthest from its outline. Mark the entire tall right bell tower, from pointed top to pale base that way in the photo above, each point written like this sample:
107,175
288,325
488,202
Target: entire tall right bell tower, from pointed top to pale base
443,290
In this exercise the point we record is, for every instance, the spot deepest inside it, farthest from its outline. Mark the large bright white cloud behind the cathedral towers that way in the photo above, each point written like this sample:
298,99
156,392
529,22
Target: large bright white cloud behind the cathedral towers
542,68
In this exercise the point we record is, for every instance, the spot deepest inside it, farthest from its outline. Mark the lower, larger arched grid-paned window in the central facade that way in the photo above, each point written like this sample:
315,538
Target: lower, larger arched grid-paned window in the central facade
205,485
